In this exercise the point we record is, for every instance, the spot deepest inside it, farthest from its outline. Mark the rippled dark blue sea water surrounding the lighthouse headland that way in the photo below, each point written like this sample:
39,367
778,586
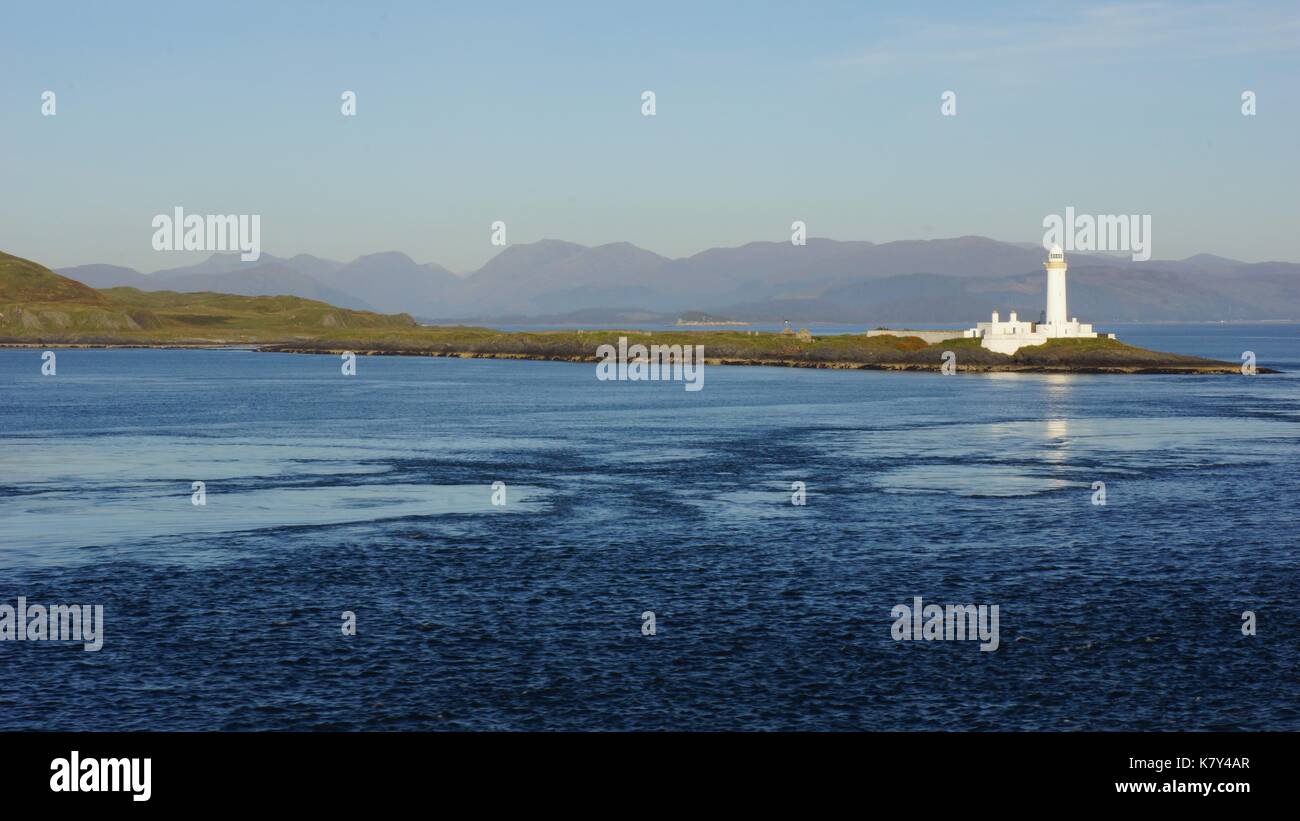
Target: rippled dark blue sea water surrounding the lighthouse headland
372,494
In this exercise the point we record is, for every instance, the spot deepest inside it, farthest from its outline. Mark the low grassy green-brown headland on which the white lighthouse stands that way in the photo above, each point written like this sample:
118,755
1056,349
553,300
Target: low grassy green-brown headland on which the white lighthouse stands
40,309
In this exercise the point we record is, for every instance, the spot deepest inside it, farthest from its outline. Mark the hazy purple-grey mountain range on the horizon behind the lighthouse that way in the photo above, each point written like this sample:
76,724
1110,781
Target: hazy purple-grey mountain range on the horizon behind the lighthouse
957,280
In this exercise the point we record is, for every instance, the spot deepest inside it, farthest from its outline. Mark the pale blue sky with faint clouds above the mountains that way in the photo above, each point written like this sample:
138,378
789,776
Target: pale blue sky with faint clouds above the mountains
532,115
